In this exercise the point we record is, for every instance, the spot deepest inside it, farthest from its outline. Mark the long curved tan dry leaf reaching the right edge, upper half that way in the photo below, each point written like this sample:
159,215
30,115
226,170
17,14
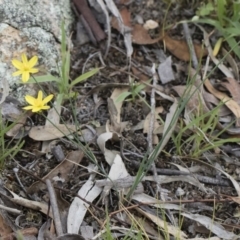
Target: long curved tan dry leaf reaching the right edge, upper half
230,103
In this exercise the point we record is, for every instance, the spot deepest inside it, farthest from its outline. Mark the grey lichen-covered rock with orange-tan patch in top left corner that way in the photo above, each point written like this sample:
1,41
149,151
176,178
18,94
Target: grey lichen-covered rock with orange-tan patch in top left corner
32,27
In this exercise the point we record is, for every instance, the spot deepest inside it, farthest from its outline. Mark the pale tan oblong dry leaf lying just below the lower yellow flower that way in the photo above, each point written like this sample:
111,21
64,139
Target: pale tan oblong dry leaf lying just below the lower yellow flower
45,133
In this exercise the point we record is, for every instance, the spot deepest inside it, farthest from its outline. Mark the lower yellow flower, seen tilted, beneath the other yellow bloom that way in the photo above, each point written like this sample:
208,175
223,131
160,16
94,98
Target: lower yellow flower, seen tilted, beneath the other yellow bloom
38,104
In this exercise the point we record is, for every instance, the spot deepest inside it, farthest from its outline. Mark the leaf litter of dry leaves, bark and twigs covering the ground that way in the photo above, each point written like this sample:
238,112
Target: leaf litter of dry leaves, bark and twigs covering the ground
98,172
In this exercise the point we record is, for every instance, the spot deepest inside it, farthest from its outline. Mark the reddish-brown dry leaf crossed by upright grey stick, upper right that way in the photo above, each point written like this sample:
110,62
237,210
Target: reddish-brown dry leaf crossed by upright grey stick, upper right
179,48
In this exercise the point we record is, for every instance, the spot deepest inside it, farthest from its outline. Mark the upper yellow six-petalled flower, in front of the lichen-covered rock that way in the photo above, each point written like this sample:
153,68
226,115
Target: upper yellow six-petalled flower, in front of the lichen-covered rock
25,67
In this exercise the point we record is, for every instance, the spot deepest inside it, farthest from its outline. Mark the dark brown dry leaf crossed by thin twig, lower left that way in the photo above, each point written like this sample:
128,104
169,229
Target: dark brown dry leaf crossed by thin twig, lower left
64,168
